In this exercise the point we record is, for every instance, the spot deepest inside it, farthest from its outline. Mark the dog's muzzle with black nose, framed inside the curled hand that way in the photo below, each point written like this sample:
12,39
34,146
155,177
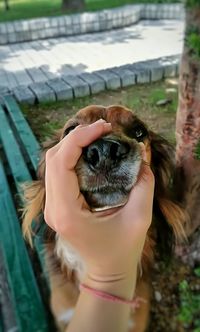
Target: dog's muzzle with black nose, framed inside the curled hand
107,170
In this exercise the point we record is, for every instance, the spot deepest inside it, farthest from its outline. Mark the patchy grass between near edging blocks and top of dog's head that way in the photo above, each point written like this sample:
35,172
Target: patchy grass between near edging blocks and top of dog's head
45,119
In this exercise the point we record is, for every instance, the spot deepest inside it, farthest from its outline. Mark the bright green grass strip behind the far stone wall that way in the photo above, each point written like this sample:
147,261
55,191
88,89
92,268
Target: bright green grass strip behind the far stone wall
24,9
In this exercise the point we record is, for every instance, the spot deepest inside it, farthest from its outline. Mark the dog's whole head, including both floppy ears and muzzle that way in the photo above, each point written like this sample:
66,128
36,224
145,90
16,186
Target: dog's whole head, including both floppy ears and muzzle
108,169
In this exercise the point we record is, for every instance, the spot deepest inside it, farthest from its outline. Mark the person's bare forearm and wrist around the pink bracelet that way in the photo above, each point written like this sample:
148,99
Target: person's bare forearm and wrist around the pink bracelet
100,315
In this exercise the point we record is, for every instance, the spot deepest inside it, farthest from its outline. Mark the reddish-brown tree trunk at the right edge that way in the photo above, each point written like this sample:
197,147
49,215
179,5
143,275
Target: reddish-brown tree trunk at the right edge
188,119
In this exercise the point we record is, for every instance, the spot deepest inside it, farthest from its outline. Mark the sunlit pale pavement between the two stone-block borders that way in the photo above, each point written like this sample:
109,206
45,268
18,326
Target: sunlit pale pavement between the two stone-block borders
41,60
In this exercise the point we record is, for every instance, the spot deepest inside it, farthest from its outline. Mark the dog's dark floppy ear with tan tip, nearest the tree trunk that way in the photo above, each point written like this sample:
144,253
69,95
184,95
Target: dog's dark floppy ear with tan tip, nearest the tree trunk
168,216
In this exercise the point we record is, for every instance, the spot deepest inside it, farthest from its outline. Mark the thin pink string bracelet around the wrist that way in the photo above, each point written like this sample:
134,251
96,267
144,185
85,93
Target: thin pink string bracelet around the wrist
135,303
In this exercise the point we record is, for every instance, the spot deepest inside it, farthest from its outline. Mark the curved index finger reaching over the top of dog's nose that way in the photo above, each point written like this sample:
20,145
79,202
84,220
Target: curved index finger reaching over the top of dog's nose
68,152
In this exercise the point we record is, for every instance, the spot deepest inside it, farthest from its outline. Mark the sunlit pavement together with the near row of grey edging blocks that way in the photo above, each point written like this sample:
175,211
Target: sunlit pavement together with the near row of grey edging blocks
76,66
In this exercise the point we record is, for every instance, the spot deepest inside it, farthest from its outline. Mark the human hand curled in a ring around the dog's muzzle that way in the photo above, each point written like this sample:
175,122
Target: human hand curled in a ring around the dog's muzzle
110,242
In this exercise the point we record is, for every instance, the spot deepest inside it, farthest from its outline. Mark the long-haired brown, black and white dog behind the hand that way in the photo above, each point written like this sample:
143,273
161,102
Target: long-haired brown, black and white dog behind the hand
107,170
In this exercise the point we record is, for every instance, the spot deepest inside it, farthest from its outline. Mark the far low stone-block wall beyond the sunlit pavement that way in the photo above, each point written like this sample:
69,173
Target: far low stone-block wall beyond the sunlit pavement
48,27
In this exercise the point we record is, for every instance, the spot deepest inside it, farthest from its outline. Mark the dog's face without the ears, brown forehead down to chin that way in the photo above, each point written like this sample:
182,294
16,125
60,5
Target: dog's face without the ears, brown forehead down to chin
109,166
